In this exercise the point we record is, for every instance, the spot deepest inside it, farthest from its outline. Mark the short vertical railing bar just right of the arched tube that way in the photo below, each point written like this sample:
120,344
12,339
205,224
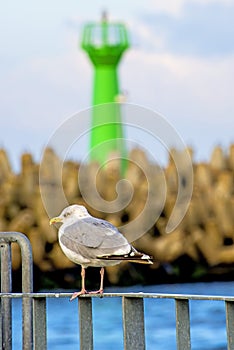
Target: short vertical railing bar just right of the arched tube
39,324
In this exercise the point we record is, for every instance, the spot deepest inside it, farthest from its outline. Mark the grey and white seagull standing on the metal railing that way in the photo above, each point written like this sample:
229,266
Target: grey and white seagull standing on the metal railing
89,241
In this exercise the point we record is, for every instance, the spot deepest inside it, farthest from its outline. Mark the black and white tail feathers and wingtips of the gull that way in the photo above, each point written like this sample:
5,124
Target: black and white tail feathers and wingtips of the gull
132,256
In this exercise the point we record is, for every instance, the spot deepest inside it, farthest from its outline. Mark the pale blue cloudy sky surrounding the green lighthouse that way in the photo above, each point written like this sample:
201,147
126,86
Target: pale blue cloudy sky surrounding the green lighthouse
180,64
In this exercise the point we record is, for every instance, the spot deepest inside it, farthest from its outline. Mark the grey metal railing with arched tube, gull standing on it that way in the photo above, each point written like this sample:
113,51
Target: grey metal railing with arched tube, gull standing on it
34,325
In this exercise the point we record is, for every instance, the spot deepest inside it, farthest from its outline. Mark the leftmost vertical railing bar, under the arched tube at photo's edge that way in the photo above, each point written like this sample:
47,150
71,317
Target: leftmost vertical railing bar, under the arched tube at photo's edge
6,303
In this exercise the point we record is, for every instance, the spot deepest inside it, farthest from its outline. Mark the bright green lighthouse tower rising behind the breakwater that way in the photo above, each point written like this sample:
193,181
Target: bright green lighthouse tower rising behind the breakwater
105,43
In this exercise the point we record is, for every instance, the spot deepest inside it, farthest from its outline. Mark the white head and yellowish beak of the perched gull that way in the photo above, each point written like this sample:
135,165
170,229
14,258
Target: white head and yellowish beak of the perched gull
70,214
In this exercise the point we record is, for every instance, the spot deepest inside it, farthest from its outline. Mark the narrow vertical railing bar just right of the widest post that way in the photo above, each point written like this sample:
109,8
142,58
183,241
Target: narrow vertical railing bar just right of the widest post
182,324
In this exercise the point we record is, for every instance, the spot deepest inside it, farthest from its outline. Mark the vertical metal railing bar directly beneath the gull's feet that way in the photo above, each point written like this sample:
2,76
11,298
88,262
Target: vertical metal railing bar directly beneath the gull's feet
85,323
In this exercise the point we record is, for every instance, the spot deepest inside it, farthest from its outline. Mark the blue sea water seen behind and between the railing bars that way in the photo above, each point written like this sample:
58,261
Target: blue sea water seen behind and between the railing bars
208,325
